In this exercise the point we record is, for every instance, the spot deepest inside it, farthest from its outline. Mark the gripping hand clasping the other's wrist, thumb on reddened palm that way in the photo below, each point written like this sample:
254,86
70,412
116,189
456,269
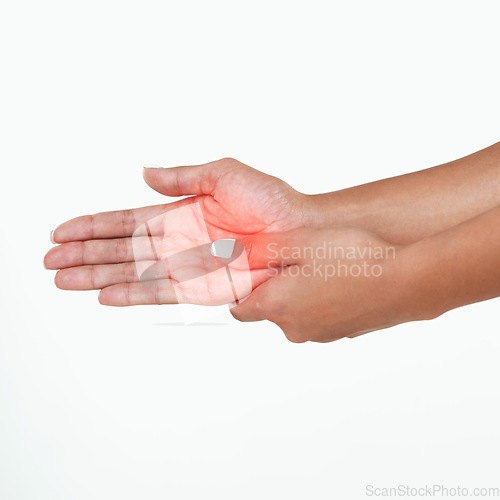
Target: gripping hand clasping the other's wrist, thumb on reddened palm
328,283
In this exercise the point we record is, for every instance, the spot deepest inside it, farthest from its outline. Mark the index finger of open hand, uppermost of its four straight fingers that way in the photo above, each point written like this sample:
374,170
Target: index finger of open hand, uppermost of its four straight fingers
119,224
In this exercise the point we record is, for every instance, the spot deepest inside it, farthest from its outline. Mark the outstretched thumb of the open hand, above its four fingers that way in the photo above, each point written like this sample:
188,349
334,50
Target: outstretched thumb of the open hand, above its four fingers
188,180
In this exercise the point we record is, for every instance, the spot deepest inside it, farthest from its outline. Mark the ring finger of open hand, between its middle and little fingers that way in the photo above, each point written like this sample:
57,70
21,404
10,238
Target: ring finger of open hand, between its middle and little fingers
97,277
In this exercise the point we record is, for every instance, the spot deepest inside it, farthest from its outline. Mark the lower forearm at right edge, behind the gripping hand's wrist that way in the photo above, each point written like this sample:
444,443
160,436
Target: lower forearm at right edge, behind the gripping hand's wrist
457,267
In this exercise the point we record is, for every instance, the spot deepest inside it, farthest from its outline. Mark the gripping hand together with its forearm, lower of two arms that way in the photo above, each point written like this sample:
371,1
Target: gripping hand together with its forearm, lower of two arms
414,282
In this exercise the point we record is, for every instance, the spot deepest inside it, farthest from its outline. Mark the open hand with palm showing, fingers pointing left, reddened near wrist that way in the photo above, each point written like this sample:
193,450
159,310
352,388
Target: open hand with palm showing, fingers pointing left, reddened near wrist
230,200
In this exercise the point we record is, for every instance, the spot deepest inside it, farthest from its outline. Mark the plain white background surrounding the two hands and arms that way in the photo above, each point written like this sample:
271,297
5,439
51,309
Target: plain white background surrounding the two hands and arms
103,403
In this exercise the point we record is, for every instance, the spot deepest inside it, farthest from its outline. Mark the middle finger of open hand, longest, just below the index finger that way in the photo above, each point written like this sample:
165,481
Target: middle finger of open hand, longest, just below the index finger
113,251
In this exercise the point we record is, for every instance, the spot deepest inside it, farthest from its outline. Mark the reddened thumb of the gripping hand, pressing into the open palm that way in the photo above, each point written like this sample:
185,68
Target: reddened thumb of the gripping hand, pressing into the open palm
273,249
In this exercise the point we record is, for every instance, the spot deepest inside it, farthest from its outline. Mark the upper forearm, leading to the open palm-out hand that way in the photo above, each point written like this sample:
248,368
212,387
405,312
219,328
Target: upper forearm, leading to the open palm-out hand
410,207
